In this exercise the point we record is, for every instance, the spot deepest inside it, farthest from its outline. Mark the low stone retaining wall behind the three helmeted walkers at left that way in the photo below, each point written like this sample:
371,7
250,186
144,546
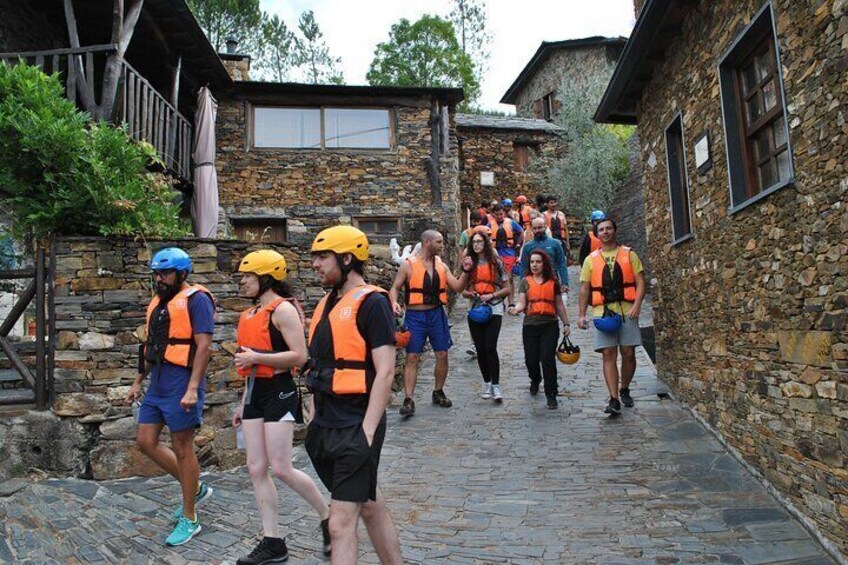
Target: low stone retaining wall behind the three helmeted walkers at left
102,289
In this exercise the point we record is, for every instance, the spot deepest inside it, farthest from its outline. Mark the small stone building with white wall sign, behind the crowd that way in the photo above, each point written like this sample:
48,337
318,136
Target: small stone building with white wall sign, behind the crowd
495,154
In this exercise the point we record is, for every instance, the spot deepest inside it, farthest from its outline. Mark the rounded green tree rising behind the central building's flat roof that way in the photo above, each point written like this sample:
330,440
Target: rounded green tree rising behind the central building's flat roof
426,54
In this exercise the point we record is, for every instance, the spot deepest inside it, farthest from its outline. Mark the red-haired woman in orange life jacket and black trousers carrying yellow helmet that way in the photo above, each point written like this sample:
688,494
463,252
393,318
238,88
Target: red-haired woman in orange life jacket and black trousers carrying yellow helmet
540,298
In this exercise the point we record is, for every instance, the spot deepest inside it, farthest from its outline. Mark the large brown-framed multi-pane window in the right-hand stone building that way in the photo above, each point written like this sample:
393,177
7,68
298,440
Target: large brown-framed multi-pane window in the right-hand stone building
758,148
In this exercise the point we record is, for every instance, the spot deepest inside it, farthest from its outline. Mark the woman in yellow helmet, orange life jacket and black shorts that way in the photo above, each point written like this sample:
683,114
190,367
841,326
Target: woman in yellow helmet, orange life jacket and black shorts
271,344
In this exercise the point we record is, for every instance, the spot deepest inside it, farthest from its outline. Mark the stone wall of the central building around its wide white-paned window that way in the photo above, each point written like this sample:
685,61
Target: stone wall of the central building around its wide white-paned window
313,189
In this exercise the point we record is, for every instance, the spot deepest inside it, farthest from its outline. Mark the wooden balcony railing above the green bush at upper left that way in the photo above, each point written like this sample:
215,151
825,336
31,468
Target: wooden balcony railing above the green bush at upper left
148,115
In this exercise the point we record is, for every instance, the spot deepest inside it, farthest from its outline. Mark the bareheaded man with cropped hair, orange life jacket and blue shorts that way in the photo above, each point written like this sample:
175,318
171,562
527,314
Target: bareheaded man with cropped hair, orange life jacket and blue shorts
426,280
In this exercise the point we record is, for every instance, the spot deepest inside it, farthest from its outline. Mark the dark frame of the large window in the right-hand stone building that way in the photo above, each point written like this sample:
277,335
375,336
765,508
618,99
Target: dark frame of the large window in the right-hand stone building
739,137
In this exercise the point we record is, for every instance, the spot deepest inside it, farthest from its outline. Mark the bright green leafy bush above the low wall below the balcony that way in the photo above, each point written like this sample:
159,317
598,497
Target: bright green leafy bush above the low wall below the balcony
64,174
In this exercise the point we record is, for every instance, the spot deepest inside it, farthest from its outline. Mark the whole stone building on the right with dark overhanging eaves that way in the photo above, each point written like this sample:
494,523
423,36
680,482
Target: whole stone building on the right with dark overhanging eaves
743,139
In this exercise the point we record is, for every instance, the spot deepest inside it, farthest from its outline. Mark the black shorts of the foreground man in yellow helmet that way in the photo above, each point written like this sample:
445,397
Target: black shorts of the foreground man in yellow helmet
344,462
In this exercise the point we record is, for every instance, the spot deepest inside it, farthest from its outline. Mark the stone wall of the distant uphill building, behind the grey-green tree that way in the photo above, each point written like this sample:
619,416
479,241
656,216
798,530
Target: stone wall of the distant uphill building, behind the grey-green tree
572,65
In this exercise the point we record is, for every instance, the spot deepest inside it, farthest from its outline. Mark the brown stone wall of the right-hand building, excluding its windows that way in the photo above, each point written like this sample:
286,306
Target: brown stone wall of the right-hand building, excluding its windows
751,312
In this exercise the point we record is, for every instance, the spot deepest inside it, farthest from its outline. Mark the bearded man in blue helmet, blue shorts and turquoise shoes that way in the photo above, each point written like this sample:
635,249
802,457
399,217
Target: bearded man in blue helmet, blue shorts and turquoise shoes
180,323
